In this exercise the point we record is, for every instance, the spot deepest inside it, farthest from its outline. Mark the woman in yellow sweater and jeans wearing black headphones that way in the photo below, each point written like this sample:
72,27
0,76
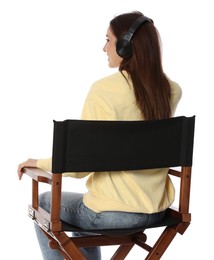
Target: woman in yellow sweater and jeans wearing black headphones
138,91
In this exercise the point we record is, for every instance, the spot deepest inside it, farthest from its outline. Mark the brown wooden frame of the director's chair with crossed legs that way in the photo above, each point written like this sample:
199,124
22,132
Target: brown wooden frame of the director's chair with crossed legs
176,221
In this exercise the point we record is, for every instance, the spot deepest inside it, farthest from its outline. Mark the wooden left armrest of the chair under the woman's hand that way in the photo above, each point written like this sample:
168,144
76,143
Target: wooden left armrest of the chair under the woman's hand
38,175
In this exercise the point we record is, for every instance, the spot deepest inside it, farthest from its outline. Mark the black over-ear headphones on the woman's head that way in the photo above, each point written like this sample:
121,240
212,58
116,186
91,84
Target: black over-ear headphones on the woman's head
123,46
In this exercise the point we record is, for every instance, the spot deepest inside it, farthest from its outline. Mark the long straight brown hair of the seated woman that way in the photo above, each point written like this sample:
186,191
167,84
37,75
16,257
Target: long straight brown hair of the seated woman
151,86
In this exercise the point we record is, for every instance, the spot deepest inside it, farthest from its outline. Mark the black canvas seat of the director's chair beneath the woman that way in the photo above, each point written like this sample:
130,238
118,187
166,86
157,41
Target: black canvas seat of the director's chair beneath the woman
168,220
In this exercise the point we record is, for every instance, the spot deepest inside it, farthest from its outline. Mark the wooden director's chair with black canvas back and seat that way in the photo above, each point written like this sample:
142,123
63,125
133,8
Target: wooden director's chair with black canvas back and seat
87,146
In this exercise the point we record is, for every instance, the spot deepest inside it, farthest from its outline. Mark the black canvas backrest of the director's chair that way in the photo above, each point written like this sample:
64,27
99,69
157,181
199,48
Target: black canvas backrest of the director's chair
87,145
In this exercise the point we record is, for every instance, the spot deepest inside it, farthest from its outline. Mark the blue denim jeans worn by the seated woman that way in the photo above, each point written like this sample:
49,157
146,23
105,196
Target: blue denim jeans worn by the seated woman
73,211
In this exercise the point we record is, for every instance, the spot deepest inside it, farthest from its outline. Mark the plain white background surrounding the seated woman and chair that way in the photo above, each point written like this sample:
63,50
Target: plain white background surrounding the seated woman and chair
50,54
